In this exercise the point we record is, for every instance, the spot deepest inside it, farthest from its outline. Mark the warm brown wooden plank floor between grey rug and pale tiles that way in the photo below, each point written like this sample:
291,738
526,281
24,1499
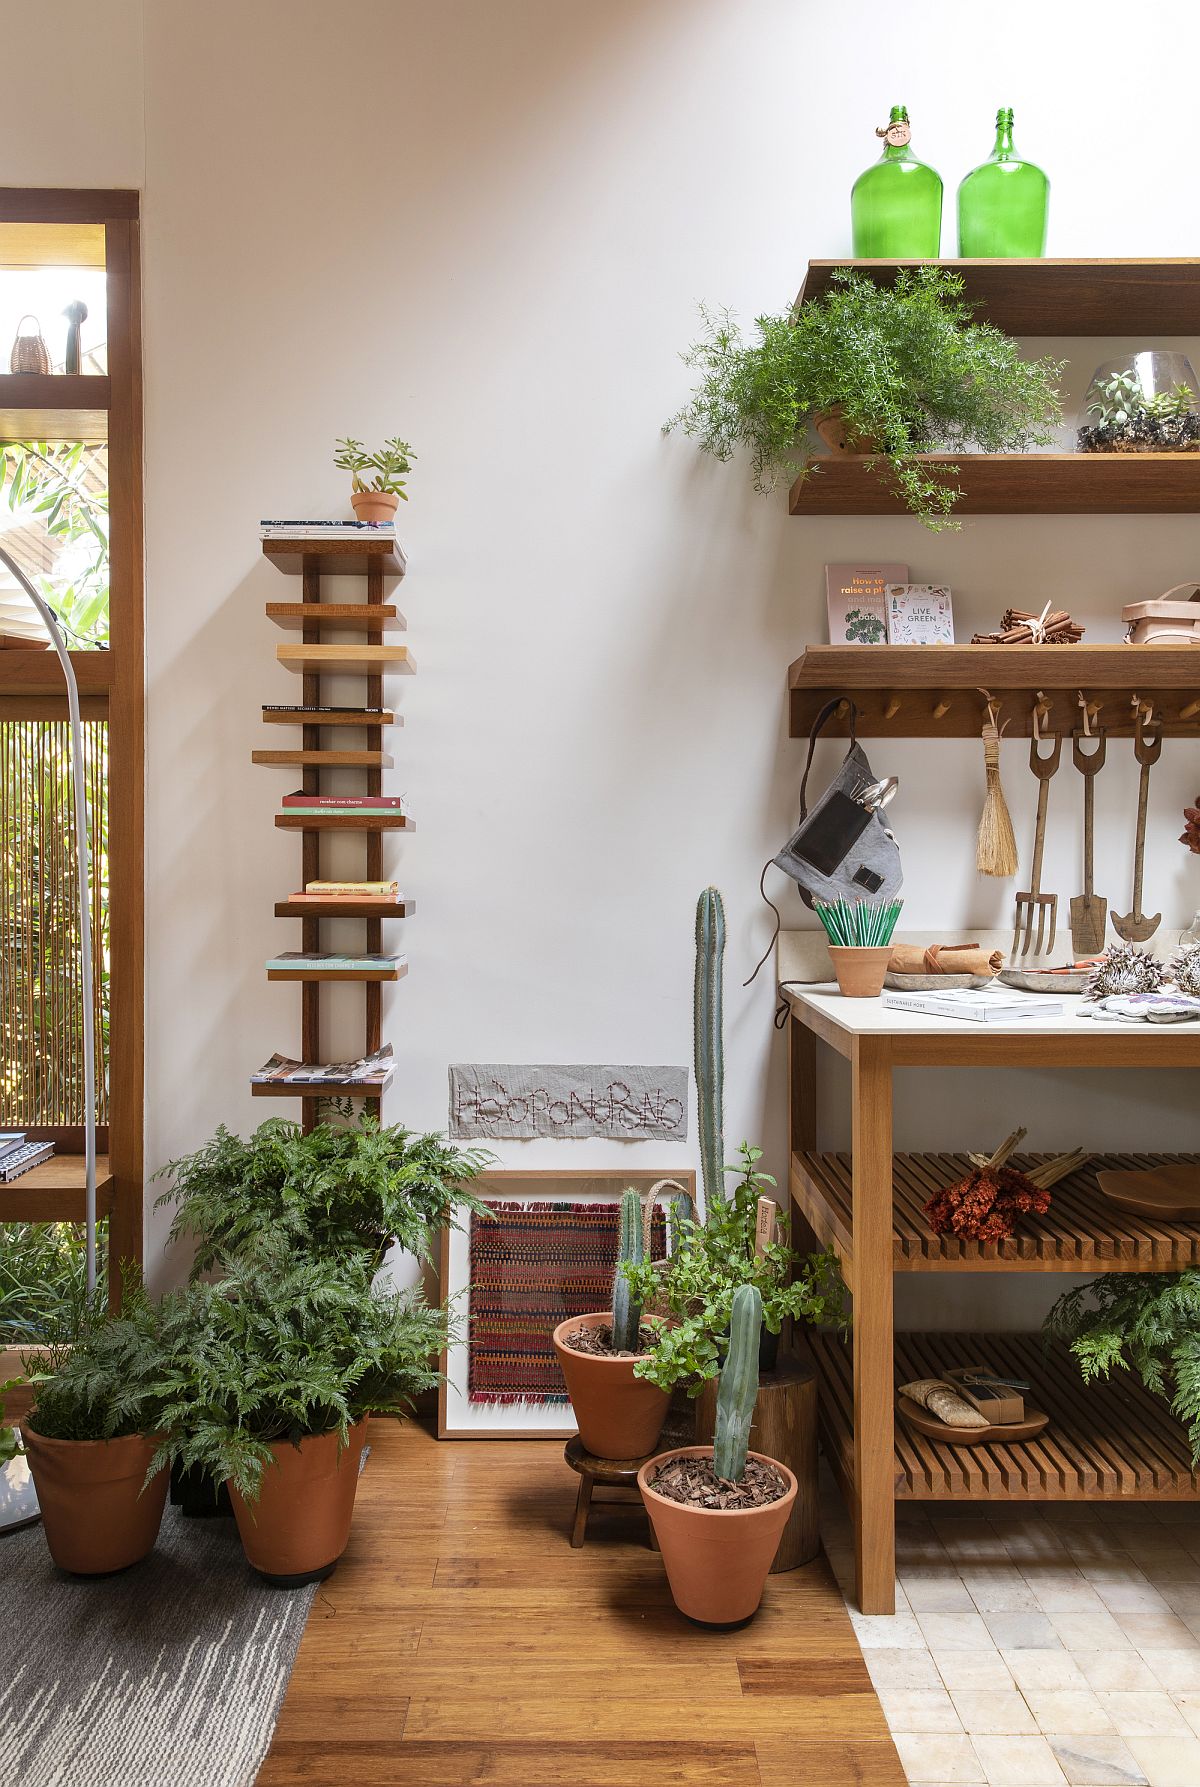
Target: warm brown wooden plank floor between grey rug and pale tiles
462,1641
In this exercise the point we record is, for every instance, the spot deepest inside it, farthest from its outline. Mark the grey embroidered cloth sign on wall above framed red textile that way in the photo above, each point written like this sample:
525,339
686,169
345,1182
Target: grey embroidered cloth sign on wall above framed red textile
517,1103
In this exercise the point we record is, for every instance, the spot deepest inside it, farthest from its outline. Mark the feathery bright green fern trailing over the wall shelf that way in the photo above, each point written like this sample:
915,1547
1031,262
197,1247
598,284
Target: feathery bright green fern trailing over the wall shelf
892,373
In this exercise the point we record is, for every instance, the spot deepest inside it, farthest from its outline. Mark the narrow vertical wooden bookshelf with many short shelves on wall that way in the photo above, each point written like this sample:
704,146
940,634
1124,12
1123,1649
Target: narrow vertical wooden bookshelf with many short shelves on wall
374,558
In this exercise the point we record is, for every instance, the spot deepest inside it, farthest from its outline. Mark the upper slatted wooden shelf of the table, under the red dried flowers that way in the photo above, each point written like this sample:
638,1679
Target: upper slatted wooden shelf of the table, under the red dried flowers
1079,1234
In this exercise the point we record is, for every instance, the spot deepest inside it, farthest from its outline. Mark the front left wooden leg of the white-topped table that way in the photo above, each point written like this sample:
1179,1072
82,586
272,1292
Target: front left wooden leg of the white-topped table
874,1420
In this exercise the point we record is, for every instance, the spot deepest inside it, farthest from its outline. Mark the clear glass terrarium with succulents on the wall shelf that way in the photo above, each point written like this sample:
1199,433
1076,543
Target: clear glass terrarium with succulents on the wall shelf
1144,403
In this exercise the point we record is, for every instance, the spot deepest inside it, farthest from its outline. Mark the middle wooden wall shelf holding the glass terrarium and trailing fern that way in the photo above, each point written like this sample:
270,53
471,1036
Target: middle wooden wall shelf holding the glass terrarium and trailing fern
1026,483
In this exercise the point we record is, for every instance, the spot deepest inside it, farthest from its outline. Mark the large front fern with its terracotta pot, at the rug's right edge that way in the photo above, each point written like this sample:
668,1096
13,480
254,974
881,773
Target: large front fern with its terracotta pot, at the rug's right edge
269,1382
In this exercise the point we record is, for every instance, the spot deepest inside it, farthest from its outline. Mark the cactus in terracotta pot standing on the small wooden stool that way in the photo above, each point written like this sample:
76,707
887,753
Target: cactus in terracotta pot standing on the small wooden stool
621,1413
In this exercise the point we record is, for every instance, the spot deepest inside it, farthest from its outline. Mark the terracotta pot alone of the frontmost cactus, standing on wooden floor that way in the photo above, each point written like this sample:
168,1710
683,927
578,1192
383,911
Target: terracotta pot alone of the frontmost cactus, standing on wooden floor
717,1561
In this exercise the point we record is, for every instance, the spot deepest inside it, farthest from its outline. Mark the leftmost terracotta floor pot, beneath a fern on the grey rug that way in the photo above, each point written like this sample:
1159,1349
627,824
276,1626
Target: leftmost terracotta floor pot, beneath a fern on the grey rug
94,1507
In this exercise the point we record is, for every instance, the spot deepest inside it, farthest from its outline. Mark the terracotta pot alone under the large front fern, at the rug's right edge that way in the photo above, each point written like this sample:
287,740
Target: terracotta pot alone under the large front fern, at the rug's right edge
301,1525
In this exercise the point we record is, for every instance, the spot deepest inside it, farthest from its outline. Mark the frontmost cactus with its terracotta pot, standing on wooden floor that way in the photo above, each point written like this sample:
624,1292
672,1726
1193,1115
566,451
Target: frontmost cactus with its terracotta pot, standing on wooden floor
719,1511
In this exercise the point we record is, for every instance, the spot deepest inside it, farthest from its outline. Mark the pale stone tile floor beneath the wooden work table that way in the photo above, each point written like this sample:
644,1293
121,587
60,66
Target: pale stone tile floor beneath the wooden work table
1051,1645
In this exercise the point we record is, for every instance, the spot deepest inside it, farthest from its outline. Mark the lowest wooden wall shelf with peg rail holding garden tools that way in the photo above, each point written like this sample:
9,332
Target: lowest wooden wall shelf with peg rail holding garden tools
935,691
